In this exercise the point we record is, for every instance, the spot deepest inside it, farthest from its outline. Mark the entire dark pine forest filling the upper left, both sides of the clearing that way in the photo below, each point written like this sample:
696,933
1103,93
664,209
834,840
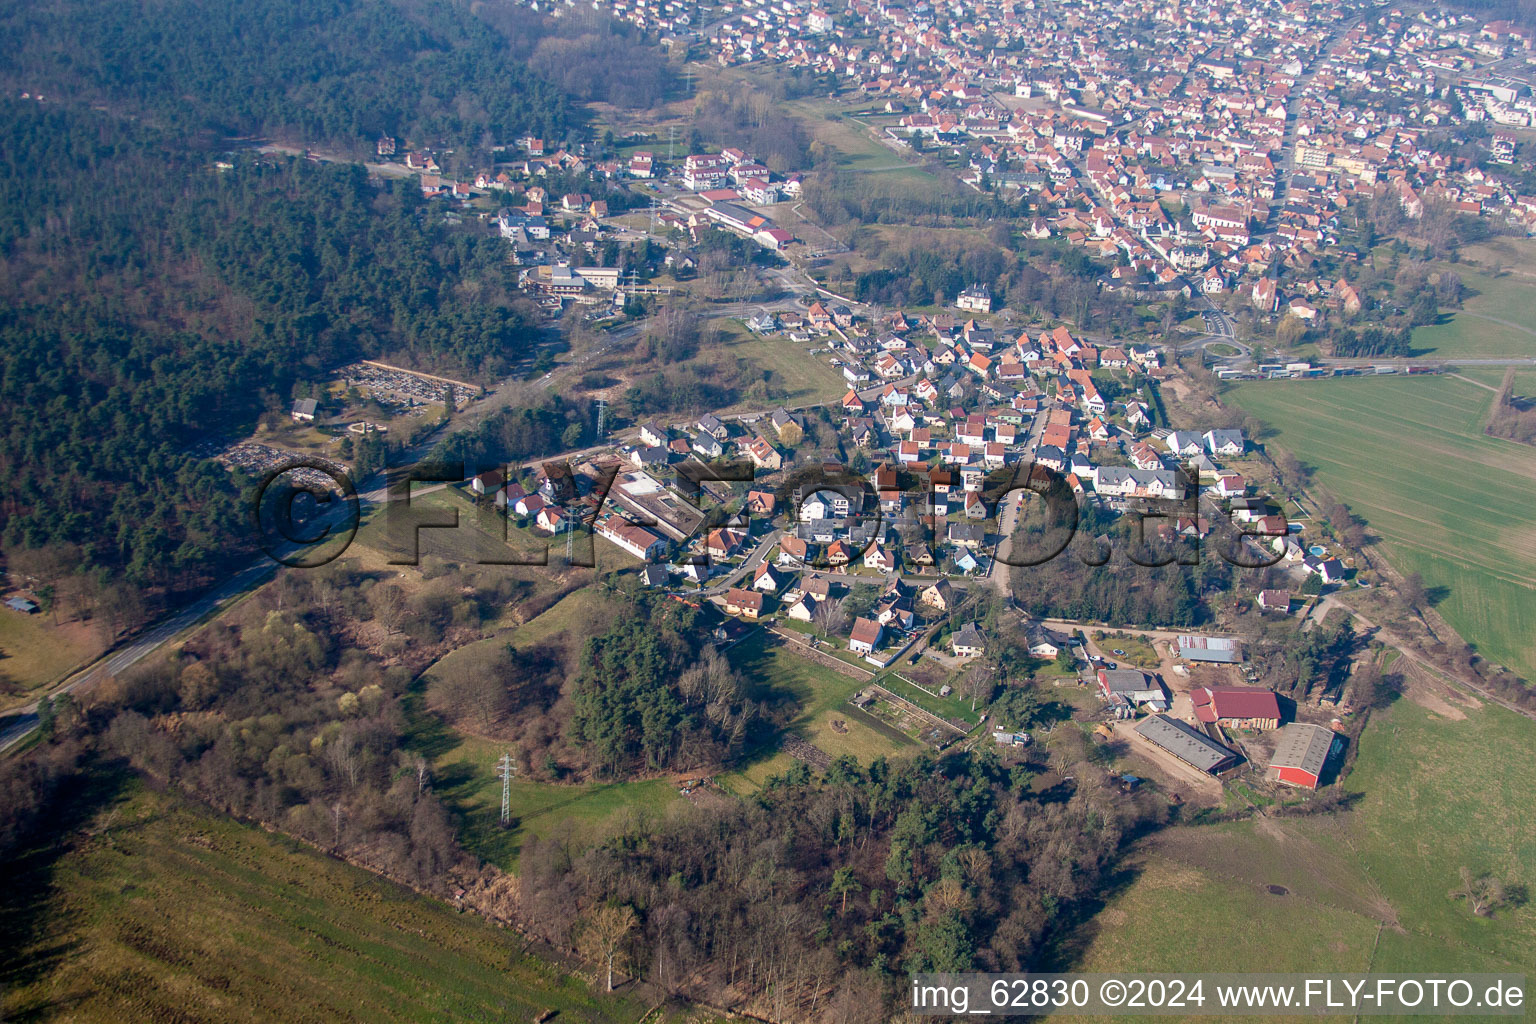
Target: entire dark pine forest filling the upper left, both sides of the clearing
165,285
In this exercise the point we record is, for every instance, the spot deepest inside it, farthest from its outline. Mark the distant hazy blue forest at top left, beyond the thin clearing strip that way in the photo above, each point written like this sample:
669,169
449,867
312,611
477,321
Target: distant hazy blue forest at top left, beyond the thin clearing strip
314,73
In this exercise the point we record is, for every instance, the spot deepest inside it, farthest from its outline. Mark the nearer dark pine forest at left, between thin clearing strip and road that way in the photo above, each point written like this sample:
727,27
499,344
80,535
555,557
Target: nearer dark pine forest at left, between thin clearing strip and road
188,306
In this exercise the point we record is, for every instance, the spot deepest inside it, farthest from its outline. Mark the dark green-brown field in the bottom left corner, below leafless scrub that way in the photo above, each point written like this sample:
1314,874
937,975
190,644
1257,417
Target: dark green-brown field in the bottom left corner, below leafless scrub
162,911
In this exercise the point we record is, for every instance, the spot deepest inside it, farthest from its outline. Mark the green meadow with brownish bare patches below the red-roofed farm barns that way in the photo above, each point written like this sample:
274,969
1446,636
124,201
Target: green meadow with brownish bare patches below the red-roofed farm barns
1366,890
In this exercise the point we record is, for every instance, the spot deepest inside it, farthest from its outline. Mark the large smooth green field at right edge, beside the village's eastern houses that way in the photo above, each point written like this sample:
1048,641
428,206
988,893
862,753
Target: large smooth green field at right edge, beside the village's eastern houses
1409,457
